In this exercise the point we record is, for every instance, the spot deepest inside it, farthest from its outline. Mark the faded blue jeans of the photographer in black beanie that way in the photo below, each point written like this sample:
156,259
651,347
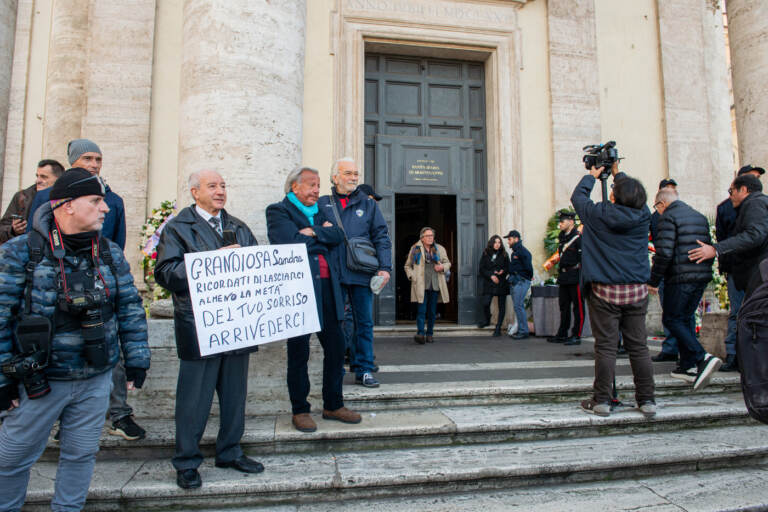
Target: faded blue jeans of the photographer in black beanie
80,405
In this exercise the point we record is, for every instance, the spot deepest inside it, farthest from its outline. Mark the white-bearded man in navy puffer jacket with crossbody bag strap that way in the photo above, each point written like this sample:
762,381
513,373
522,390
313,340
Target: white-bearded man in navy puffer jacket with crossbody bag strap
360,217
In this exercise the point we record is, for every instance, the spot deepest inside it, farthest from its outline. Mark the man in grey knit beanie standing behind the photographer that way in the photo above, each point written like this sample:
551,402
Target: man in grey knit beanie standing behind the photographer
86,154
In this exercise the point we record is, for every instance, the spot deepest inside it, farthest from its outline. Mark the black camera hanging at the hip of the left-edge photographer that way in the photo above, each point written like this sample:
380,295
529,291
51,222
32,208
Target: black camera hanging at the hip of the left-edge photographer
34,338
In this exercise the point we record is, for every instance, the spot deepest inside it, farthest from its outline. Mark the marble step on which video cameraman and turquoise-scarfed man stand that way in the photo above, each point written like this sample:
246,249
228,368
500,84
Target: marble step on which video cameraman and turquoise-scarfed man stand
439,426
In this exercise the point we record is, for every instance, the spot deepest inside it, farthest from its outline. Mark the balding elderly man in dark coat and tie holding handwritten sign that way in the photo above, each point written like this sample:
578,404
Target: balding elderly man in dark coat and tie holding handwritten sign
204,226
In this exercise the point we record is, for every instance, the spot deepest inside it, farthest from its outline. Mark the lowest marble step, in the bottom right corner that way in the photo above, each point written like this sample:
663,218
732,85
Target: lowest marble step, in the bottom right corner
697,491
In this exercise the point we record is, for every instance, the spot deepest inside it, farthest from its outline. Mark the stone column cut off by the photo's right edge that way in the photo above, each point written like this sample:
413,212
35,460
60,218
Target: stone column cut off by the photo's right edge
748,34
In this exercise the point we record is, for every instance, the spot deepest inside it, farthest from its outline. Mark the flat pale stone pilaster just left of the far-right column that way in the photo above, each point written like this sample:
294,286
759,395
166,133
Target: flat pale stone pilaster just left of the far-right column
696,110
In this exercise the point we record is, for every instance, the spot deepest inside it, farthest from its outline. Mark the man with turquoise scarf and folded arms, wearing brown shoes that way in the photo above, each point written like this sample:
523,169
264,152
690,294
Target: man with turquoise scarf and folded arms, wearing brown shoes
297,219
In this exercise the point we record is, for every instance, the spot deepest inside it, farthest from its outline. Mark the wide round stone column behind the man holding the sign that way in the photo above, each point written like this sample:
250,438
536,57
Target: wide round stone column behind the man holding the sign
241,99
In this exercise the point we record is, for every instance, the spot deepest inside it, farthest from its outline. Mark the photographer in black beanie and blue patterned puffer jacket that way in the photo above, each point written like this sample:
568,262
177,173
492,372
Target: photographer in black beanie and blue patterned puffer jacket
66,295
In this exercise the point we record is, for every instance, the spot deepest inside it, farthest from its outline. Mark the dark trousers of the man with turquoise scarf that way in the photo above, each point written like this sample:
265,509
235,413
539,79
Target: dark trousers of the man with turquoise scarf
332,340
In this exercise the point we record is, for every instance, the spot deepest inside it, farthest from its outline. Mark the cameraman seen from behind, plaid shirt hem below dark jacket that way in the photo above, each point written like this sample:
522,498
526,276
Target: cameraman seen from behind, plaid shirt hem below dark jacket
615,270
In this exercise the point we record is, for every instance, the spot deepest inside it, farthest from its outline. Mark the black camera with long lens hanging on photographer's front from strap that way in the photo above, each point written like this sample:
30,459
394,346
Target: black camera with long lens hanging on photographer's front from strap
85,302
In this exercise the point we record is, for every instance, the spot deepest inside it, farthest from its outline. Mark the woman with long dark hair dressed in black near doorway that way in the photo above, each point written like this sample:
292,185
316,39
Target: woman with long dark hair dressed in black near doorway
493,270
